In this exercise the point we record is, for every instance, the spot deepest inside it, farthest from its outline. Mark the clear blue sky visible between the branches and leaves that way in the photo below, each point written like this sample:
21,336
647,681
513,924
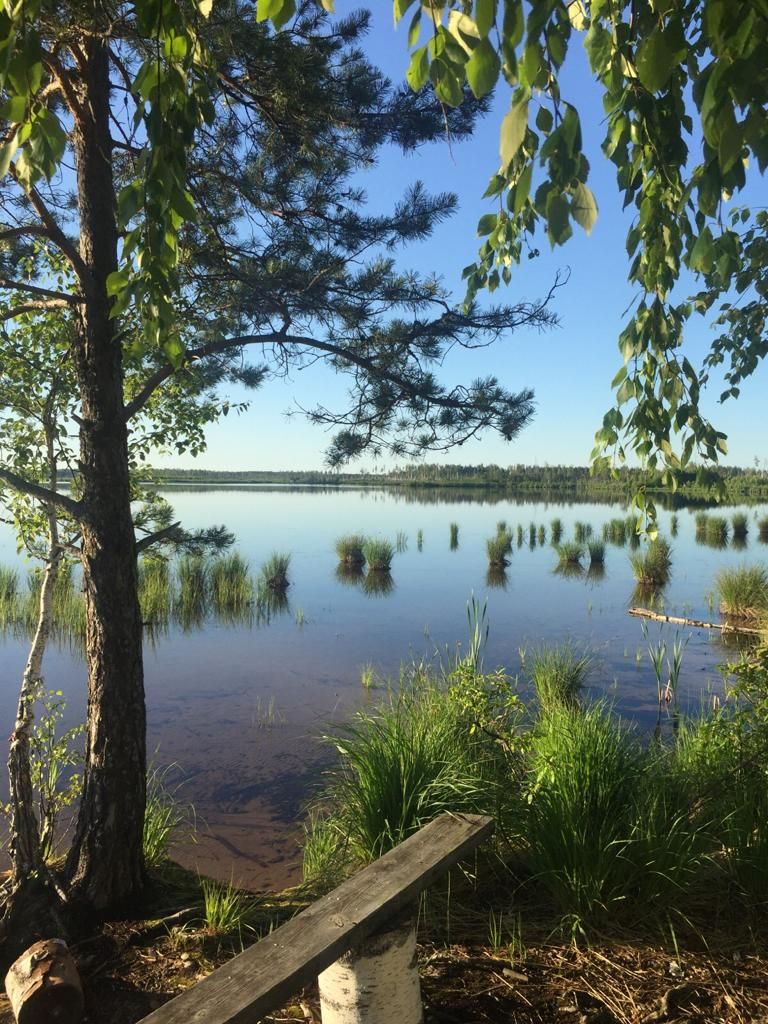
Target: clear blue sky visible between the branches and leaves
570,369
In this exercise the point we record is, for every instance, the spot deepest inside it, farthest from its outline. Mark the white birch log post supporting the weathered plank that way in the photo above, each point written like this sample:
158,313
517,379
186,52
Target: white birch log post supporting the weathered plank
377,984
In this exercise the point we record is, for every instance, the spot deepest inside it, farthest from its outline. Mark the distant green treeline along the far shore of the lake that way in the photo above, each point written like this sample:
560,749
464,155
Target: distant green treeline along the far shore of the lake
546,483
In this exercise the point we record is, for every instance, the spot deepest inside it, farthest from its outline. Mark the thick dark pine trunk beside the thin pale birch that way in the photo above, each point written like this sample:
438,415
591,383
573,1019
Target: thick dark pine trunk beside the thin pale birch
106,864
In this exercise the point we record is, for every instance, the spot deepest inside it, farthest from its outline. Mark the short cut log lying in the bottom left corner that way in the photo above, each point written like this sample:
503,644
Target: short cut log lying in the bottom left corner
44,986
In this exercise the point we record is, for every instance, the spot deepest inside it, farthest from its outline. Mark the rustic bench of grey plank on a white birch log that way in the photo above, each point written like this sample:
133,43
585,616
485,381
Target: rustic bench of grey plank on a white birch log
336,934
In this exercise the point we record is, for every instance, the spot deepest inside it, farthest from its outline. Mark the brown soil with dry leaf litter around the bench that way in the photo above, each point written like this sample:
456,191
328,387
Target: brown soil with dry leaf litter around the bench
131,968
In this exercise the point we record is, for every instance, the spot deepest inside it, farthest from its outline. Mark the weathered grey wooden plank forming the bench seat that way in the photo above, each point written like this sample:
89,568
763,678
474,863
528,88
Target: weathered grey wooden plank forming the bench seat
262,978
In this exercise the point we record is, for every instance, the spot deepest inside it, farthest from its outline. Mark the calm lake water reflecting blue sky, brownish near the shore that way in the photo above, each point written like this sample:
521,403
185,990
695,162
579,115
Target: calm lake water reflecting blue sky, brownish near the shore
239,710
